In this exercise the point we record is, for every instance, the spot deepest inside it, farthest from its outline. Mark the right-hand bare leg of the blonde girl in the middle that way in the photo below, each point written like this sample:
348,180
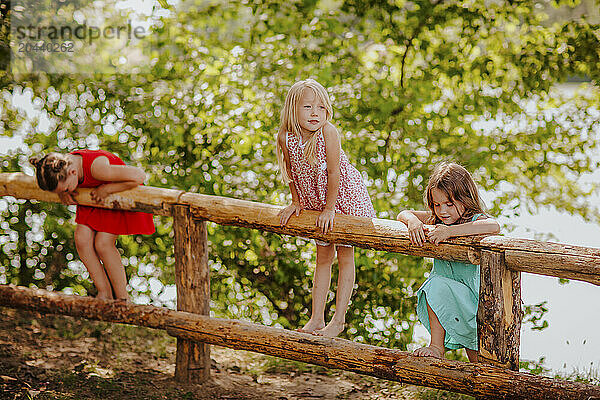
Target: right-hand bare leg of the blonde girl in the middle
346,277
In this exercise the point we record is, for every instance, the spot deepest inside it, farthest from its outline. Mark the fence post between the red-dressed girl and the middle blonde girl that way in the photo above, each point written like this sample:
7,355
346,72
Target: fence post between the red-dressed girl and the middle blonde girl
193,291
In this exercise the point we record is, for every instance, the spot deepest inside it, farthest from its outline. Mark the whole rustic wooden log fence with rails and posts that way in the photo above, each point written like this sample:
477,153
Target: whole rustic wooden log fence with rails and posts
499,316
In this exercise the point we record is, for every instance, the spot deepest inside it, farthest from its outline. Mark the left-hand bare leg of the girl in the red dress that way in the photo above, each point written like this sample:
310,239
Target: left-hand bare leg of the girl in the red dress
84,241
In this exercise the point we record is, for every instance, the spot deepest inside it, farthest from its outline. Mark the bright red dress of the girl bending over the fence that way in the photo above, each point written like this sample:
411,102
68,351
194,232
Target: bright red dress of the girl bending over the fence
118,222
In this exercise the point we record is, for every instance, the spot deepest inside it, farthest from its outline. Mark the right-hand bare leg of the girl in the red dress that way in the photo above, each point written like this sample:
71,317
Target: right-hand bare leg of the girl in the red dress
105,244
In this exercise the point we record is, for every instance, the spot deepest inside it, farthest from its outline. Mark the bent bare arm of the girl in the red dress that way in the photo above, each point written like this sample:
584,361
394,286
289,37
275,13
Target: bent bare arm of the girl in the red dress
121,177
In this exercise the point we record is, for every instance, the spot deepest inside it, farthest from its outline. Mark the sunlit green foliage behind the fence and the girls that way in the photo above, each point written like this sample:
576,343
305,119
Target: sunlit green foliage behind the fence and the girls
411,83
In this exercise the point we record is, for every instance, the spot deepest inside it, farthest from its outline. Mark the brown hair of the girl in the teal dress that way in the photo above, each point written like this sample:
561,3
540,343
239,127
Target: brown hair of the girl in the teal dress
457,183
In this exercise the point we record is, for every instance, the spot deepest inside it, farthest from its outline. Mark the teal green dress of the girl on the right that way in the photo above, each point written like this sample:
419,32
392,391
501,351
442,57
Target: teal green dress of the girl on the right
452,291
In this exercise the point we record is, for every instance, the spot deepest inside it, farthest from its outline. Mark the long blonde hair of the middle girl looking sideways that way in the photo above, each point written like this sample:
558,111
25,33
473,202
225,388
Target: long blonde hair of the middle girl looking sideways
289,122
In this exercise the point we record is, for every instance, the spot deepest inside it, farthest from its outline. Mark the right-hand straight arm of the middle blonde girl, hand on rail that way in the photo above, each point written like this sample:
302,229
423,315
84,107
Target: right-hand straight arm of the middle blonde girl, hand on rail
332,150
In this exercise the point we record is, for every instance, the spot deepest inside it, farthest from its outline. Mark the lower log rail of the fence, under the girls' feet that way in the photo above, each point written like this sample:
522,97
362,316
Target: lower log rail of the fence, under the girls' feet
489,382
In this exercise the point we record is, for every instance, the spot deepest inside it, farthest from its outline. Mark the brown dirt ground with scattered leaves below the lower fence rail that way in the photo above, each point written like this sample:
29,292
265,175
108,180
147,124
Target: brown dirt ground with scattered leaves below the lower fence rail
58,357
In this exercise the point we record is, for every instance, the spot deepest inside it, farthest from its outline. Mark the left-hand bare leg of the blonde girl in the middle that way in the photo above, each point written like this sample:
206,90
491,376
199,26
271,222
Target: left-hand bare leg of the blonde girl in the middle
321,281
